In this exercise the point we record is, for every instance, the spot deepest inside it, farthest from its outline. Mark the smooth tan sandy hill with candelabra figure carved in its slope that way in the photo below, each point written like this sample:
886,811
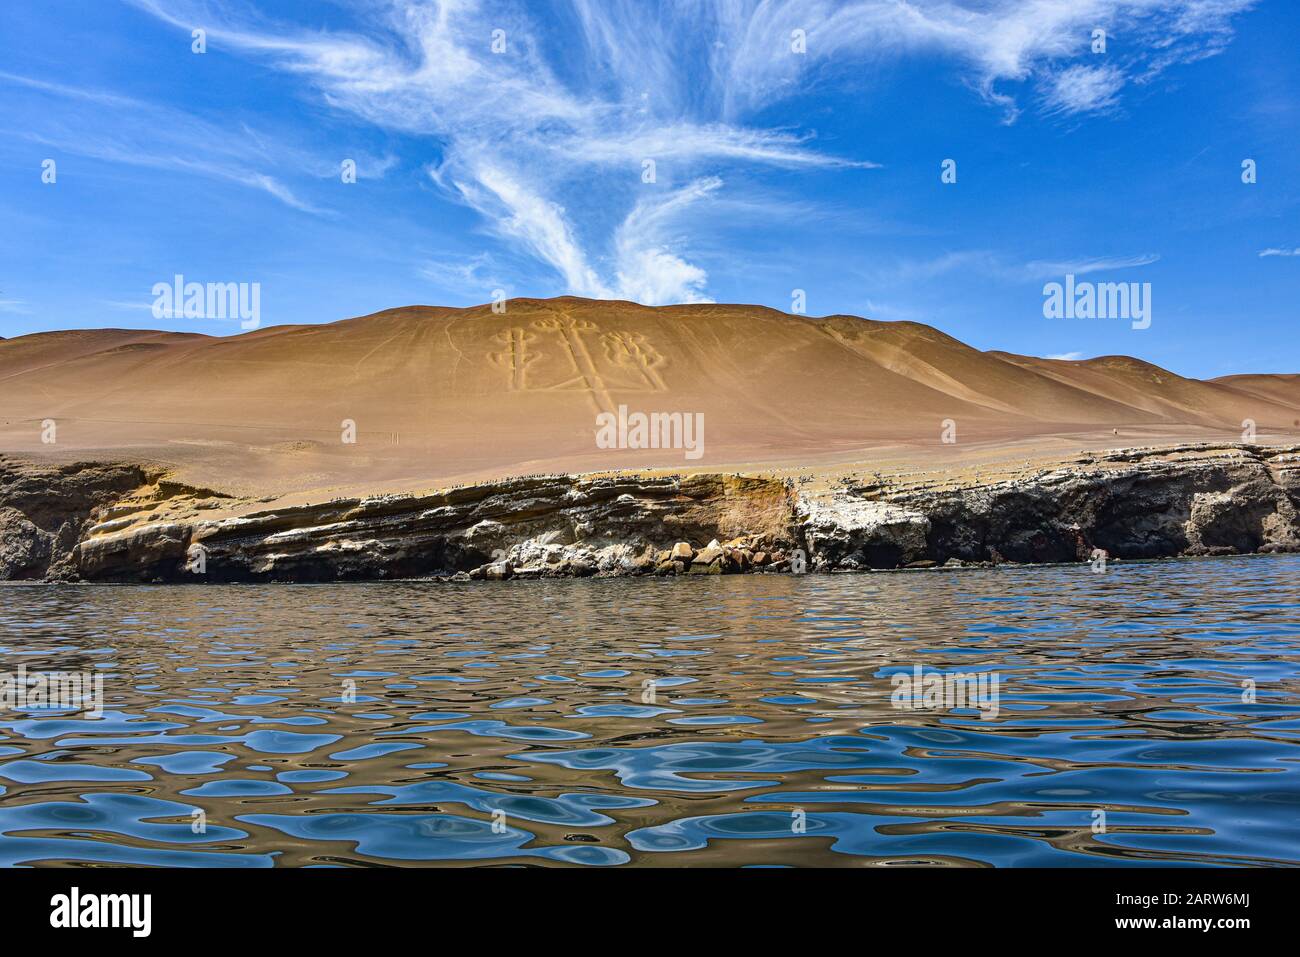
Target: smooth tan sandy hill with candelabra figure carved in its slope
443,393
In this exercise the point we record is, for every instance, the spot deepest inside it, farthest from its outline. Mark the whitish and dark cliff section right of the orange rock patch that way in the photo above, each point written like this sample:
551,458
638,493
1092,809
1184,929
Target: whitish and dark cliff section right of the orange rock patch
1130,504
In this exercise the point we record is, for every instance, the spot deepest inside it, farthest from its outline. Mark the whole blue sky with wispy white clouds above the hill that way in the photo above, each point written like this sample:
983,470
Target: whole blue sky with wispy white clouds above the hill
774,170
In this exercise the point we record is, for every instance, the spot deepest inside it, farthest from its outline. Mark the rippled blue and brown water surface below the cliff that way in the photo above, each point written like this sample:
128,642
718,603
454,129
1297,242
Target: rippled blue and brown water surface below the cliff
514,724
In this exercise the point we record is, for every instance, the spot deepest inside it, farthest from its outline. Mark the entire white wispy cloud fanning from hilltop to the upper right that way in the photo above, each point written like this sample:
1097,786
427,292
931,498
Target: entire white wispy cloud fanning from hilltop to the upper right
528,135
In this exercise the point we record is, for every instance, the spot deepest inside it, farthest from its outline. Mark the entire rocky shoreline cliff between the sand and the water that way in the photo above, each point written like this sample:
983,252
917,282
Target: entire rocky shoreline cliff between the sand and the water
129,523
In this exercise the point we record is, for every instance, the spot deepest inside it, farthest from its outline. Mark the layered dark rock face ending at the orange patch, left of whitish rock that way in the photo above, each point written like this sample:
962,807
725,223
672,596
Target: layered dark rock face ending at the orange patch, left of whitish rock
512,530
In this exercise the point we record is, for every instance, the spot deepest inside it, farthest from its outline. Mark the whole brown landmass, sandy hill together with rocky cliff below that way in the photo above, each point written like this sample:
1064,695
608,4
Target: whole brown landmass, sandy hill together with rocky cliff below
847,443
